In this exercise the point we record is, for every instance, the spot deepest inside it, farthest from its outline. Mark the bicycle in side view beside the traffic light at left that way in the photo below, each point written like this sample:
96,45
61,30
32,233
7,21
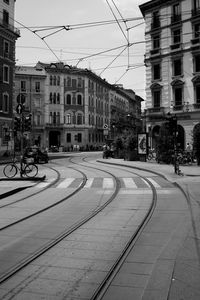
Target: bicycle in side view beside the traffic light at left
27,168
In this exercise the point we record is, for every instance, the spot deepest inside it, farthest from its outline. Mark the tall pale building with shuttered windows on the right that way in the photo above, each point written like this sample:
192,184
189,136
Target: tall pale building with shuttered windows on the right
172,59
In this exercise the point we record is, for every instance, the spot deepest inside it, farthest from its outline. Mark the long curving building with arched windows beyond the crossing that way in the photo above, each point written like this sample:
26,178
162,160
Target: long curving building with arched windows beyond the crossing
71,107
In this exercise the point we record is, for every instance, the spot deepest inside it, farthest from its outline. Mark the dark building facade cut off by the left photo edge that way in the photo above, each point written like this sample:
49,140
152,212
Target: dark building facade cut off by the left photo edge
8,36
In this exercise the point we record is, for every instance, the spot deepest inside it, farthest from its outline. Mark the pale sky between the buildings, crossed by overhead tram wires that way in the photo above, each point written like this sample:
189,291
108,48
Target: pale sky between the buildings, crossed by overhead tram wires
87,34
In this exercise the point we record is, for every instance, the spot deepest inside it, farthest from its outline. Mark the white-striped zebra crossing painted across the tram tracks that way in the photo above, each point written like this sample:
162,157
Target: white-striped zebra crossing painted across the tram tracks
107,183
